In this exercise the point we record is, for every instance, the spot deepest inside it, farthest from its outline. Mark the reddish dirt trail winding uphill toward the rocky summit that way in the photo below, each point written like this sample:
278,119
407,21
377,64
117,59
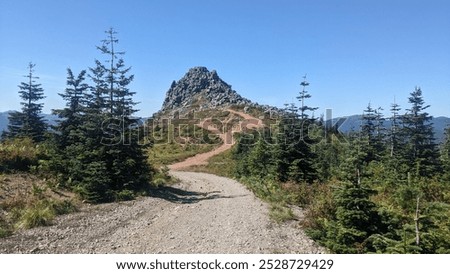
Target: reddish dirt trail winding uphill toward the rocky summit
248,122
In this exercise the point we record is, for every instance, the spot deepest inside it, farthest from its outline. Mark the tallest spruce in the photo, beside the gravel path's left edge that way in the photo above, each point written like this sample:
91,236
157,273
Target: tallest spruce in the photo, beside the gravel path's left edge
119,148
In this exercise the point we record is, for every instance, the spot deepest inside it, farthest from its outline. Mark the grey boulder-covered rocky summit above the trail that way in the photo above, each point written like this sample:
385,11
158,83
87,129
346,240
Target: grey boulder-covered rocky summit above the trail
201,89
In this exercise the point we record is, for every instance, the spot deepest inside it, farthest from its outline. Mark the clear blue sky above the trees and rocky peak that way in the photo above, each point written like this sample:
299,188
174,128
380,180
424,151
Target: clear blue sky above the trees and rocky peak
354,52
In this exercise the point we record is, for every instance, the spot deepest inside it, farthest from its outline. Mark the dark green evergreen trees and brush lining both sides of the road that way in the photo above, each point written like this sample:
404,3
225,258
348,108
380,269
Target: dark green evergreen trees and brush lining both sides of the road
382,188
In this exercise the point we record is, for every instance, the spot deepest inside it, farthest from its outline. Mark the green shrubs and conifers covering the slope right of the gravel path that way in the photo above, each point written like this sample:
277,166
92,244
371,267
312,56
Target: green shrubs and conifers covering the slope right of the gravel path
380,189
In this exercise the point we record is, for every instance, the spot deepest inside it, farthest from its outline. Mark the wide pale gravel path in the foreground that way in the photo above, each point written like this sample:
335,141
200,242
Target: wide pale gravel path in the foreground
203,214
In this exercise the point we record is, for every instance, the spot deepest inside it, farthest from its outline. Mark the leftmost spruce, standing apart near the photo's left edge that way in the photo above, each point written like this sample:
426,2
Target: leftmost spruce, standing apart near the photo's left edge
29,122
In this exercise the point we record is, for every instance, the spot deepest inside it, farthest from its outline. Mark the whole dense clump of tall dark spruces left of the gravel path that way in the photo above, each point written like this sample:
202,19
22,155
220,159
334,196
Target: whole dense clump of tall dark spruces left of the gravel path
98,134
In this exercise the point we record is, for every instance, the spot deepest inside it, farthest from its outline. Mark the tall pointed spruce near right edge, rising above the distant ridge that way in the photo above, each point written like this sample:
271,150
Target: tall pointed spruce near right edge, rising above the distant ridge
421,151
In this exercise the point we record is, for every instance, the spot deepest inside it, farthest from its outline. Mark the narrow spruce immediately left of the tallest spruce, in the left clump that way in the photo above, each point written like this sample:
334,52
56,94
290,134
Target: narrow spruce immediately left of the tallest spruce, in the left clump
88,171
